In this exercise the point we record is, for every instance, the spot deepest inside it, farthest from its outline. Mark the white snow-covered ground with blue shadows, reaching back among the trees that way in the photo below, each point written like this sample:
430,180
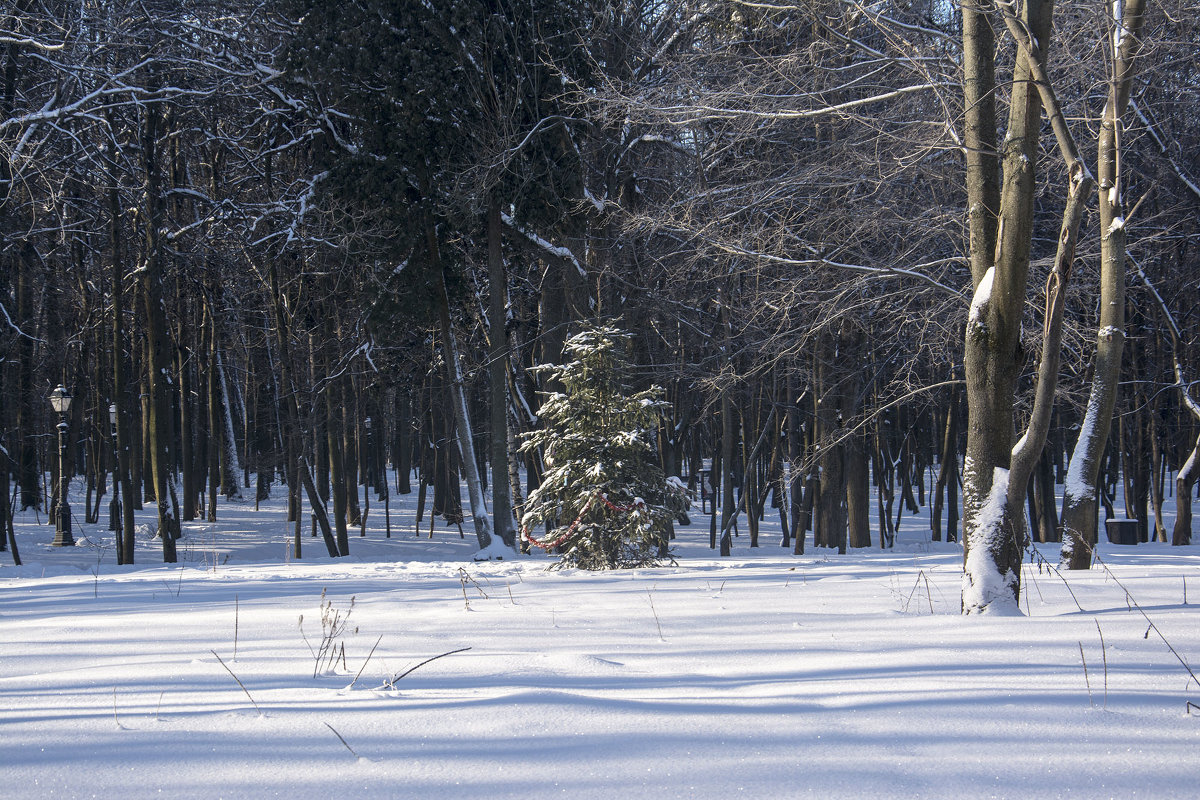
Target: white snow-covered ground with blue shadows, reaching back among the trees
761,676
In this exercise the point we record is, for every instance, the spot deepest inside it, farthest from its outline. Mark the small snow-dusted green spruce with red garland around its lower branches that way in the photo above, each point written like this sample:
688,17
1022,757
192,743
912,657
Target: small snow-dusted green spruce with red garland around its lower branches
604,496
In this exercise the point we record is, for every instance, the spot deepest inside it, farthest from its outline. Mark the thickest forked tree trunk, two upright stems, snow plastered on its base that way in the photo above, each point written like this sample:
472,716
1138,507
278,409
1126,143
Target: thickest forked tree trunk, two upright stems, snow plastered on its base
994,532
